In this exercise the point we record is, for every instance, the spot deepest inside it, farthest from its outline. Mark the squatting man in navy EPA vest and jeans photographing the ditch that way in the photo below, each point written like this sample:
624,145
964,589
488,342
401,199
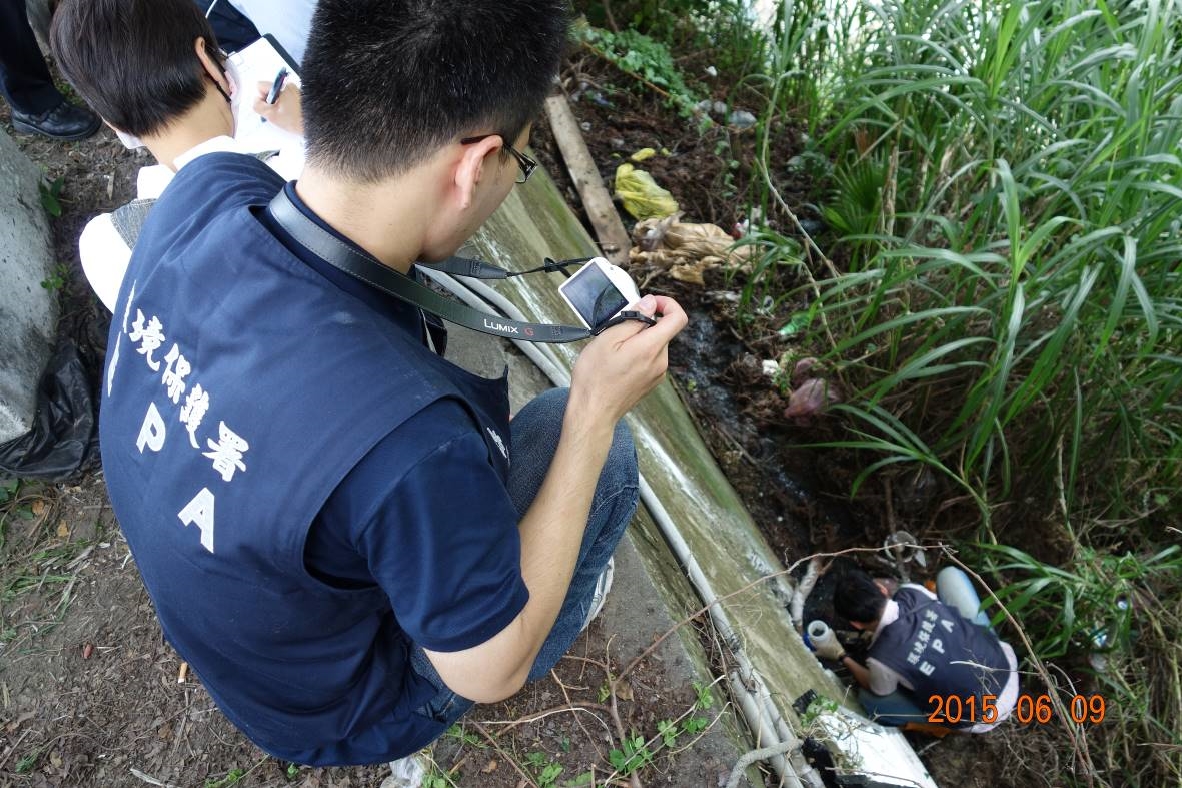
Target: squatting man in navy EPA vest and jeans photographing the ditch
323,510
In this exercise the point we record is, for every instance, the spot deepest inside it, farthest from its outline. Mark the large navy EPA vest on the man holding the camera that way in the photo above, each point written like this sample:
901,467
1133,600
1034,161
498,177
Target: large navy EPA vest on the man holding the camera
241,389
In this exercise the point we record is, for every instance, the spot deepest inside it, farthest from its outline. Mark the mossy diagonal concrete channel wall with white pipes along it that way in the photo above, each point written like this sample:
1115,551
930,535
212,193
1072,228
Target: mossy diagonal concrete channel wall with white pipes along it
705,527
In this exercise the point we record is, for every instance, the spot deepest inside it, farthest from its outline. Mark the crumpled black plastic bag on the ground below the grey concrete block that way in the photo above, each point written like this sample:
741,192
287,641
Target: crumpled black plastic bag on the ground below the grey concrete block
66,431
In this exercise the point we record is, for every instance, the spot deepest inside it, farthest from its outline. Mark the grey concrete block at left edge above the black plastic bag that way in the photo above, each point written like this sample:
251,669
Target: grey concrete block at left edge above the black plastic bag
29,312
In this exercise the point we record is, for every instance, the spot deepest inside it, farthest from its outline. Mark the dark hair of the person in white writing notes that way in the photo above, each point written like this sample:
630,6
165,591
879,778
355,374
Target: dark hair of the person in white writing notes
133,61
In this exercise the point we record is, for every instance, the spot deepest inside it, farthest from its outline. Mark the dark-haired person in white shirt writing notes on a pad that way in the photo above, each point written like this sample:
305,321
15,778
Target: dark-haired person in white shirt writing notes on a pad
179,96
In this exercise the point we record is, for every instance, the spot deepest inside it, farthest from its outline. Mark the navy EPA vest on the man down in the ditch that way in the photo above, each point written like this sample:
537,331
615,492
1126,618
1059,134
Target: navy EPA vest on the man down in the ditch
939,653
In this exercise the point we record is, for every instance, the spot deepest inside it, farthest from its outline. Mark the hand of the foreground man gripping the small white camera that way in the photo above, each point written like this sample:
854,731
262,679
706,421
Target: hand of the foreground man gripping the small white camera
620,367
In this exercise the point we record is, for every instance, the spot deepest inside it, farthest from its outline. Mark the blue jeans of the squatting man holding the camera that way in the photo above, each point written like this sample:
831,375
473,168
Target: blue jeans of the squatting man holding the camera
535,435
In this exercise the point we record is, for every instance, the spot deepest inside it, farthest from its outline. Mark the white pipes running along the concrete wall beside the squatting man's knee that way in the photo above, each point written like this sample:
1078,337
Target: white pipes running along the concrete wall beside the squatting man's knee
761,713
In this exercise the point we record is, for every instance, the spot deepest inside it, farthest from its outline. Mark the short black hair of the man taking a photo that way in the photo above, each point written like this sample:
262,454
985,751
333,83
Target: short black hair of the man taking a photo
387,83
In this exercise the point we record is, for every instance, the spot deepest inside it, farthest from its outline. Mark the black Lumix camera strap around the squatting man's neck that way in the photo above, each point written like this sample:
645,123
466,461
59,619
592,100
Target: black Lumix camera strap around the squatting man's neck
365,268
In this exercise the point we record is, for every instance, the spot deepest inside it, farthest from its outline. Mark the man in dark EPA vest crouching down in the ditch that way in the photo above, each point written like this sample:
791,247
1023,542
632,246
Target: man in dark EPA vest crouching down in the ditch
928,656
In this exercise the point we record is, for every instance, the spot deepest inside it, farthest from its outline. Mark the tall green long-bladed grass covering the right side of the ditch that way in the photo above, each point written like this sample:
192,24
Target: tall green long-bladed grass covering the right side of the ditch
1005,199
